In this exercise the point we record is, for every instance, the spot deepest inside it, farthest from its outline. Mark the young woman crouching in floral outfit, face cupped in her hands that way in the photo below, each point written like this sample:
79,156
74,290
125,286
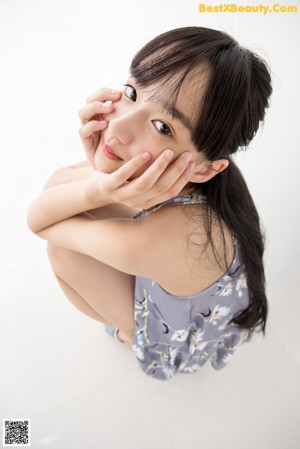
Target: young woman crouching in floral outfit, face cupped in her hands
155,233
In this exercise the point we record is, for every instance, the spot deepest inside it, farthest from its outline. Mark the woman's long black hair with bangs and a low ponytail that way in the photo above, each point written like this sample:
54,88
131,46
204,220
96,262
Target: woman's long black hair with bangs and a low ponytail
234,104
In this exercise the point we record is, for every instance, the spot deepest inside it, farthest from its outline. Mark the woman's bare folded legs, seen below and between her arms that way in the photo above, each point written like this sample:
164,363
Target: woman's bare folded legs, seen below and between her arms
97,290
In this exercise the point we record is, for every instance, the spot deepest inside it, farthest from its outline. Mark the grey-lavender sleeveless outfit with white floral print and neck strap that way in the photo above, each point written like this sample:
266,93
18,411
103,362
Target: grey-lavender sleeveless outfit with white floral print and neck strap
178,334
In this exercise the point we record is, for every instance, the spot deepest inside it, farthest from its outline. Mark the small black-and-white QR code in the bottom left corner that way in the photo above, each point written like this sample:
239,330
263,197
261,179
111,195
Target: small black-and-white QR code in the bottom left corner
16,432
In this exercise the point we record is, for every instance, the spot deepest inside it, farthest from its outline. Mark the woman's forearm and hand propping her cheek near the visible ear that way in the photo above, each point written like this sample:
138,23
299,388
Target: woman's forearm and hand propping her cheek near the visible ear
158,183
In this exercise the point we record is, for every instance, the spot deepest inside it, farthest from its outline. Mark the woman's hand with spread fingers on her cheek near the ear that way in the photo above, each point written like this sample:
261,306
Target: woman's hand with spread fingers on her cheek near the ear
164,179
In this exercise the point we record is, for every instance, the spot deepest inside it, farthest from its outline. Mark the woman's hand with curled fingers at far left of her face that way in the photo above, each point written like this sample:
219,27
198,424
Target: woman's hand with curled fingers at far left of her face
92,118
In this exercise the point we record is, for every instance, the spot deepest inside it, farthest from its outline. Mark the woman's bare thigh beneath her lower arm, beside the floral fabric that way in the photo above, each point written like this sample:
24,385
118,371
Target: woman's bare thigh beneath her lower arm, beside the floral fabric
107,290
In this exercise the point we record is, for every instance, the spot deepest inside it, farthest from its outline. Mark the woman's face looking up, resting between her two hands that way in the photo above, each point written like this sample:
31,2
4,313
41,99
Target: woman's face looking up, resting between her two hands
139,124
